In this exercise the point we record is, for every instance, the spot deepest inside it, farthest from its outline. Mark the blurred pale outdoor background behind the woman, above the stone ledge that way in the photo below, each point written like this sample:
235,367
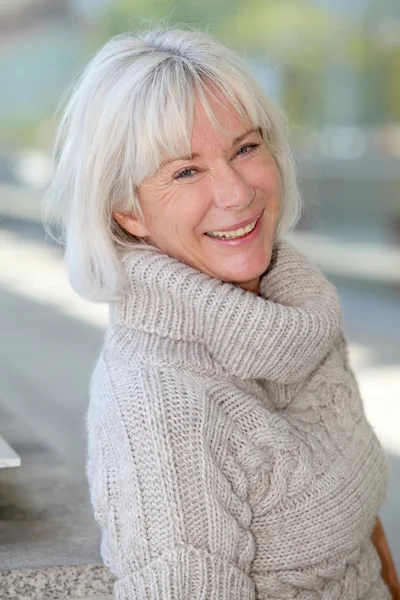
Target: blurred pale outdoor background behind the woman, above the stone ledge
335,68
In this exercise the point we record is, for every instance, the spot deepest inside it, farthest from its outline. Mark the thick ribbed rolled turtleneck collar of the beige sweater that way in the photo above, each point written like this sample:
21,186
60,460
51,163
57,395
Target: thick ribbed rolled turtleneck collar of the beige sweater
281,335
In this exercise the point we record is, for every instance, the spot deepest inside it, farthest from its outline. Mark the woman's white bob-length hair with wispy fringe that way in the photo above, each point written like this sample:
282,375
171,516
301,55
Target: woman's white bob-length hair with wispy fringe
131,108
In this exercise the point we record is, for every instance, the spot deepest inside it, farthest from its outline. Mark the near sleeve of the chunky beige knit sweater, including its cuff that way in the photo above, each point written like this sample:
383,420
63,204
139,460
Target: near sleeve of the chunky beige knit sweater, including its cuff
167,493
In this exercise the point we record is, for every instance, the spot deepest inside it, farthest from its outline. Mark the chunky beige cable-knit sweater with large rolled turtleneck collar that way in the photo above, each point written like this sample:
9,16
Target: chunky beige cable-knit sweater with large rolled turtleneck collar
229,457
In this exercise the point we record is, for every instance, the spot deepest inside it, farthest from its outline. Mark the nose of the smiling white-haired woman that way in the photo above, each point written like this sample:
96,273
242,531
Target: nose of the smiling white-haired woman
230,189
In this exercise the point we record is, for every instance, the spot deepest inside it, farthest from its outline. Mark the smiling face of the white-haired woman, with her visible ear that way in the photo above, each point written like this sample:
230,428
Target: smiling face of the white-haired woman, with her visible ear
200,208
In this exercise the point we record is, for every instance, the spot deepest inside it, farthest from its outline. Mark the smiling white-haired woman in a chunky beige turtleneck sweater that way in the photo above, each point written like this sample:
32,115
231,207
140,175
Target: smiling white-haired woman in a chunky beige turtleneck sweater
229,457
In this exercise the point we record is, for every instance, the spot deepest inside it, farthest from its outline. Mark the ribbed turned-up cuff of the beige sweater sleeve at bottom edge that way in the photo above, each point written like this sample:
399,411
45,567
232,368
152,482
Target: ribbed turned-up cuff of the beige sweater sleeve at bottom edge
185,574
